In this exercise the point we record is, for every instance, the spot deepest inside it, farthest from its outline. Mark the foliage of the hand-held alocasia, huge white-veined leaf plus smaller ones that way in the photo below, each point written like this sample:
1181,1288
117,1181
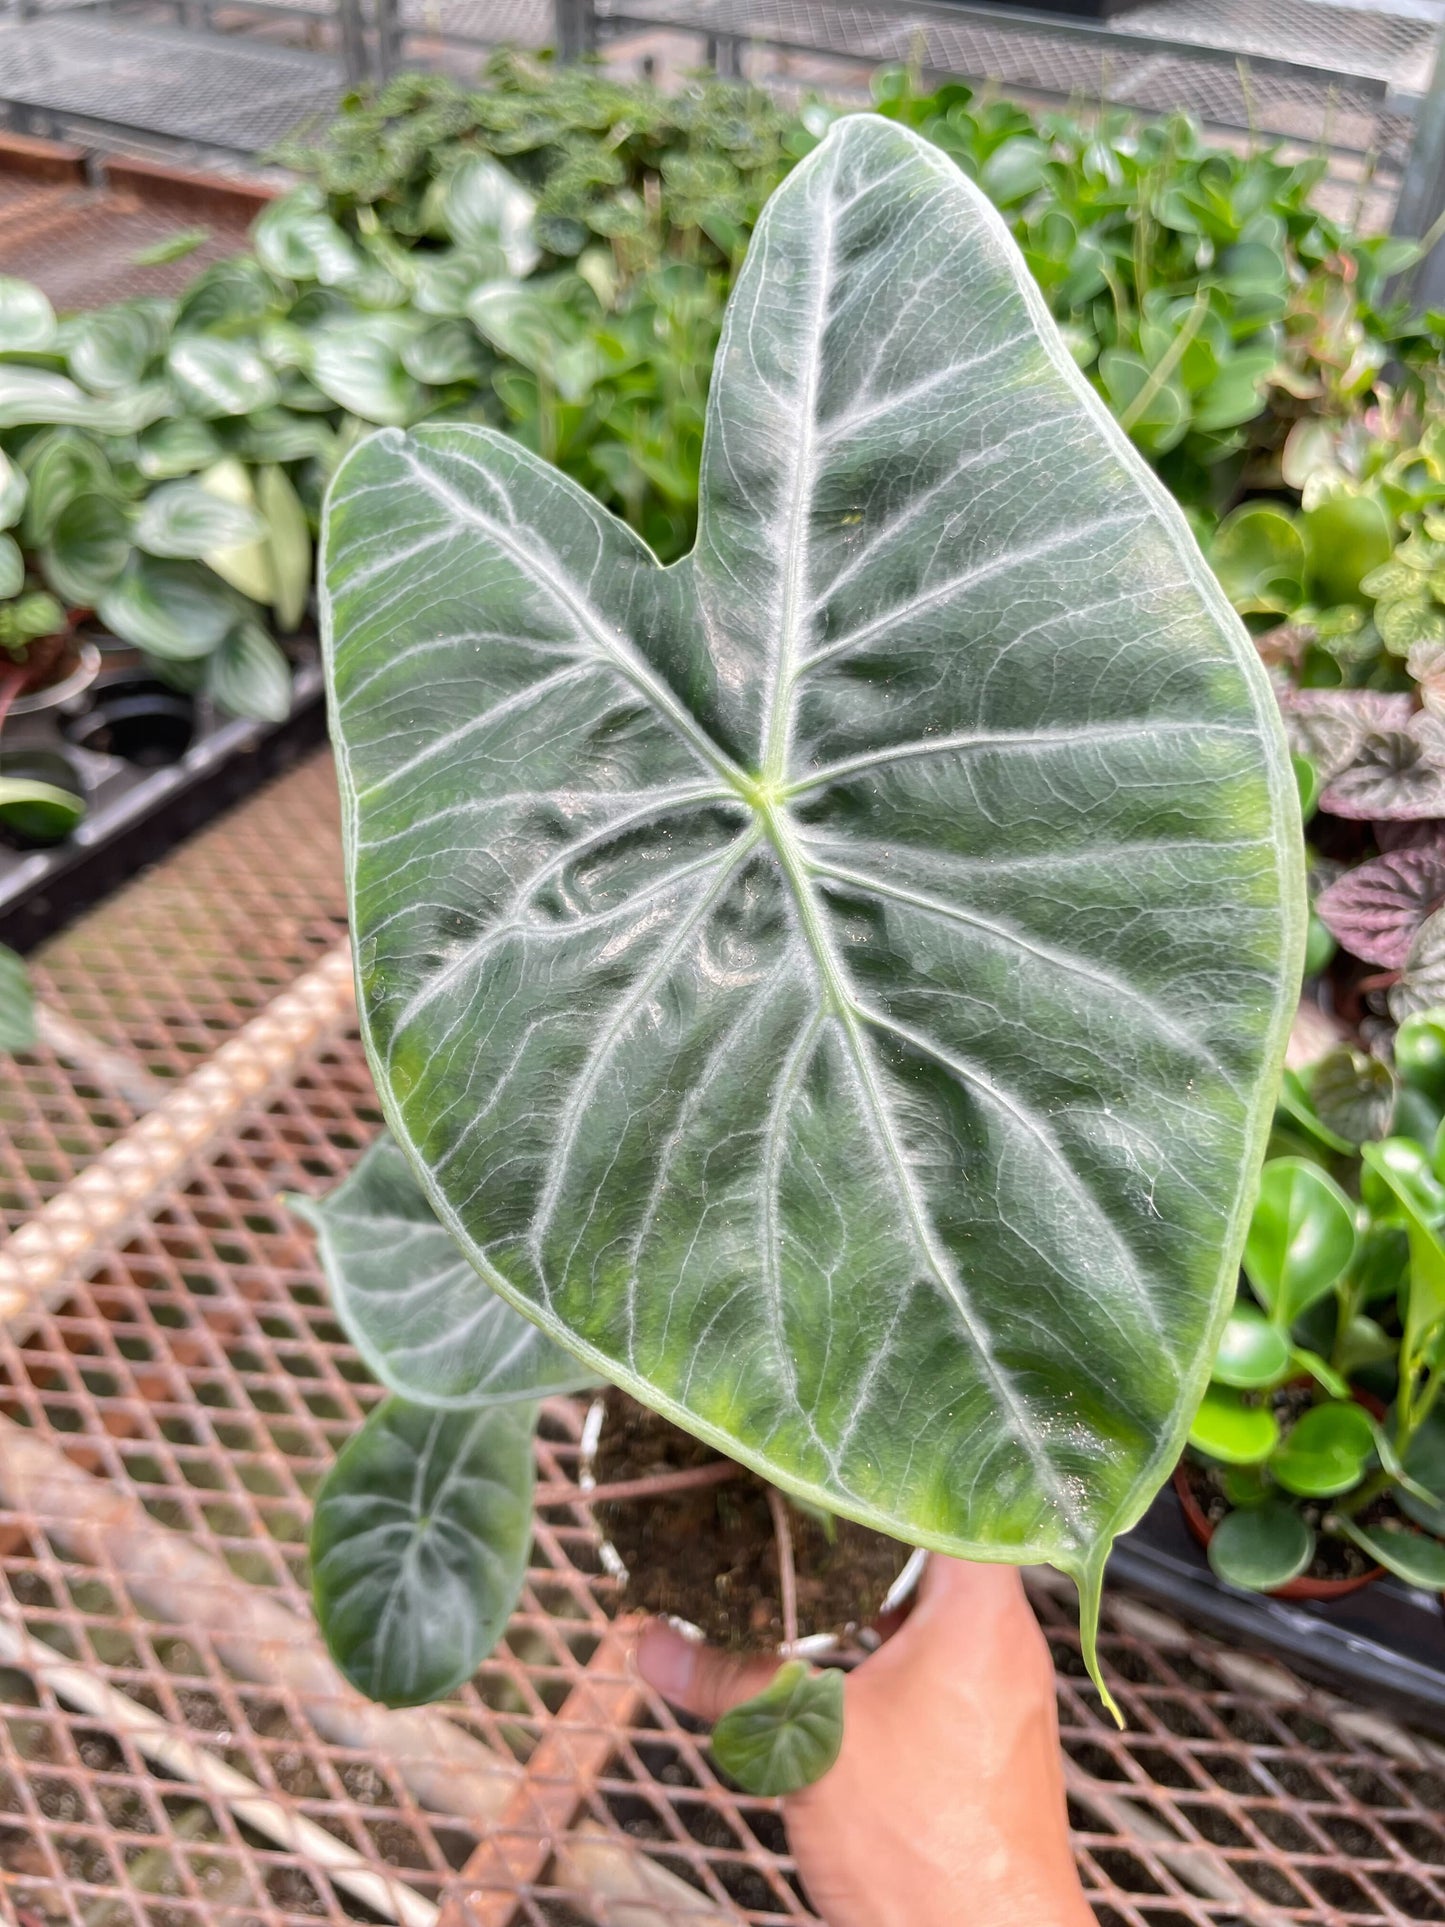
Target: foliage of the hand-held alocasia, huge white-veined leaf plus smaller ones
831,988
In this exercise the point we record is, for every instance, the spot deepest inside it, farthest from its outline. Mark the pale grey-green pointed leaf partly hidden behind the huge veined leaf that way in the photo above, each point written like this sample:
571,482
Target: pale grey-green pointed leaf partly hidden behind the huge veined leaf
415,1307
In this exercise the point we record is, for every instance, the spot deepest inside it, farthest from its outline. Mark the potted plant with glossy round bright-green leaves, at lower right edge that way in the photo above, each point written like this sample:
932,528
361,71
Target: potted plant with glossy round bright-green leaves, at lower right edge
1319,1452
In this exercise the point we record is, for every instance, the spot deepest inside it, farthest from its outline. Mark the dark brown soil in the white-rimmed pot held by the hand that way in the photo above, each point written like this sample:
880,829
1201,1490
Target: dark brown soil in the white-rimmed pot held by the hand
712,1556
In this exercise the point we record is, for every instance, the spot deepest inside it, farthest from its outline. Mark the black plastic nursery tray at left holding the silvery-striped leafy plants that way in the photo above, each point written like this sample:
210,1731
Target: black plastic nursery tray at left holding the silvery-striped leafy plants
151,764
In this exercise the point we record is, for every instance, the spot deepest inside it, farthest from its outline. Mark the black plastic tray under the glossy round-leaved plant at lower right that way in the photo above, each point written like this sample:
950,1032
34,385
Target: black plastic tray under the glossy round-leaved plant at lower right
1384,1647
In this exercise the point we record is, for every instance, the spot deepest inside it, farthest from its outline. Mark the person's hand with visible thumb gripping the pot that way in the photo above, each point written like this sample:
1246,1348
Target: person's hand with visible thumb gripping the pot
947,1801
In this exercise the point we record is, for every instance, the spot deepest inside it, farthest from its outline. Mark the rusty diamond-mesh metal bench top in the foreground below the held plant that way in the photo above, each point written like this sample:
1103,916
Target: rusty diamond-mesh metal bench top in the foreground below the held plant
165,1427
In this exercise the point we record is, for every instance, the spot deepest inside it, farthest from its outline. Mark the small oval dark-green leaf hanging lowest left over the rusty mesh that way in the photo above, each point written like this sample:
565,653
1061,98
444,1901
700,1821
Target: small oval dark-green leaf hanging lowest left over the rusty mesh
419,1546
